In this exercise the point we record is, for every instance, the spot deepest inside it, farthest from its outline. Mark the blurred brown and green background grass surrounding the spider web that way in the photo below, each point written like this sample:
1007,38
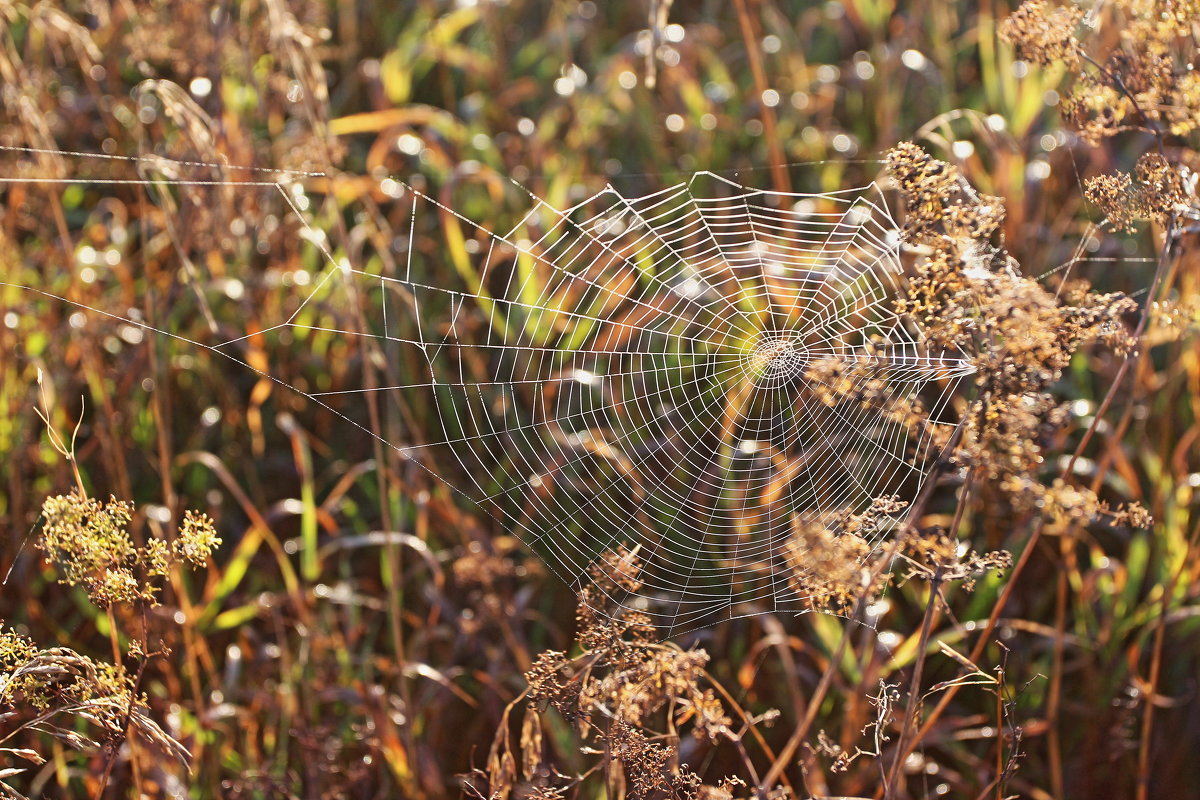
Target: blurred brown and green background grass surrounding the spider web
362,630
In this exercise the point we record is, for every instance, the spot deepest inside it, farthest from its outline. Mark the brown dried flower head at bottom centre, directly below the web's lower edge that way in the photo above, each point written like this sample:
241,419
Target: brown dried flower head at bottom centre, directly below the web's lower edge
627,699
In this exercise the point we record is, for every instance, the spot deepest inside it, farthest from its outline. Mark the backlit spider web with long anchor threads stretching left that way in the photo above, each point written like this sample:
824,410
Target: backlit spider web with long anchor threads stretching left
685,378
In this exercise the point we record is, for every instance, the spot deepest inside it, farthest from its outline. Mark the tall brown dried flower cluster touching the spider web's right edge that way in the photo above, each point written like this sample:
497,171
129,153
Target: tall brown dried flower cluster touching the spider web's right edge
967,296
